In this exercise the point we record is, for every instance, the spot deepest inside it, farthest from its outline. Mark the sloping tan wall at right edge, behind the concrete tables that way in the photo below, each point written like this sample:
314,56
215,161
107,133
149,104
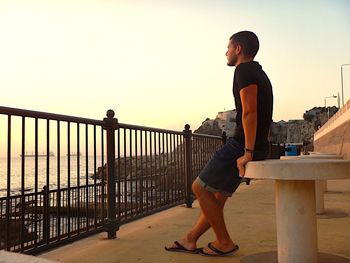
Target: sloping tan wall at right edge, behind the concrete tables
334,136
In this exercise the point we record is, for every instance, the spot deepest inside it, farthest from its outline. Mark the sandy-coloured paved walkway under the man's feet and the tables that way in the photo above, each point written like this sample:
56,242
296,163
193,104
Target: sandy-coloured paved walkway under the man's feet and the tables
250,216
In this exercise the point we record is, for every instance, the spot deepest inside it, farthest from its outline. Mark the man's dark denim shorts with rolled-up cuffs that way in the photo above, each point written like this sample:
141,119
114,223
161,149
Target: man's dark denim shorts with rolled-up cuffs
221,174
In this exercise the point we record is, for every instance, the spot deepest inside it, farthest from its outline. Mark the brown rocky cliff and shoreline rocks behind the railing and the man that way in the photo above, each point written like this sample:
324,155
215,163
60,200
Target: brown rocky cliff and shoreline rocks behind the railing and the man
165,166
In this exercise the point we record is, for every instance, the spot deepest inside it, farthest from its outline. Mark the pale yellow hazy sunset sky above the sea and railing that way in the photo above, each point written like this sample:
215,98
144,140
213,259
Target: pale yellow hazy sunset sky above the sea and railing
162,63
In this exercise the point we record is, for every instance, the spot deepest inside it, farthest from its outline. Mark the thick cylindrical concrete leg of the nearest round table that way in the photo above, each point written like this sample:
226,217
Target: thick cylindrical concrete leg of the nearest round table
296,221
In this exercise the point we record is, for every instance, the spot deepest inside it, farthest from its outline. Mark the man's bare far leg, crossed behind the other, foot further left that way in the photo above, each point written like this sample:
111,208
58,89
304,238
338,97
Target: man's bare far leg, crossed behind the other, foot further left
189,241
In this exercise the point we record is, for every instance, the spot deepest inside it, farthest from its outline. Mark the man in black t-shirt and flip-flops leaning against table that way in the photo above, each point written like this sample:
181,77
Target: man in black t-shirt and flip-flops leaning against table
222,175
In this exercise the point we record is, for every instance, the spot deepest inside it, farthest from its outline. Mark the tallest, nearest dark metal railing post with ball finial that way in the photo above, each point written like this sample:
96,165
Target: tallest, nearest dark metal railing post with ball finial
110,125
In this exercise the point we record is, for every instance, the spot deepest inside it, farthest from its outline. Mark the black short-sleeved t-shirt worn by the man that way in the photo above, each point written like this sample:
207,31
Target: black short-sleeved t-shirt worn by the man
247,74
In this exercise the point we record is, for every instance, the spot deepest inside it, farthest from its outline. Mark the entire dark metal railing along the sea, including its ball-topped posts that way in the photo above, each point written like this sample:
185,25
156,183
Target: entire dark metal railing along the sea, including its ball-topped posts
92,176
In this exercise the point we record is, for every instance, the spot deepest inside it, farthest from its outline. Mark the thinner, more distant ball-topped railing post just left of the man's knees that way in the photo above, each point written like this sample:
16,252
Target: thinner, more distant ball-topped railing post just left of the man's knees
188,164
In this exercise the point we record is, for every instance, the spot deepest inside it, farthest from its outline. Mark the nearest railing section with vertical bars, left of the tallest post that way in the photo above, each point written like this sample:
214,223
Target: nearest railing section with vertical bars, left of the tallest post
49,200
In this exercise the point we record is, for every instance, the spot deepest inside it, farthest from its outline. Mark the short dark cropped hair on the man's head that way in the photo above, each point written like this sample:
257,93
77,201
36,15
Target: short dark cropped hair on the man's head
248,41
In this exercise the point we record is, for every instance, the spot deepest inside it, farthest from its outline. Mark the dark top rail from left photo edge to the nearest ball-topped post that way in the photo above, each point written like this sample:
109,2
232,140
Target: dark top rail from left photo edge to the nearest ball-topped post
48,116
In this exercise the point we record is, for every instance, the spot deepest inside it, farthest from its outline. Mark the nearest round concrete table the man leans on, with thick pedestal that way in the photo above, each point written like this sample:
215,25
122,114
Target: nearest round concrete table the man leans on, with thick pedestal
295,204
